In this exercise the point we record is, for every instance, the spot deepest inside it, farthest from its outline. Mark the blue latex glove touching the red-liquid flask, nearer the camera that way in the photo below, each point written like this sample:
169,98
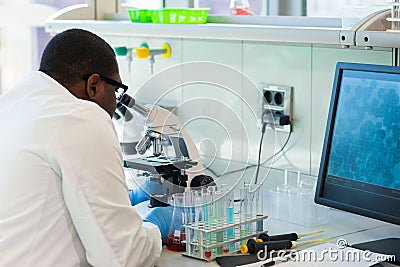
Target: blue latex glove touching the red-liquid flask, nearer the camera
161,217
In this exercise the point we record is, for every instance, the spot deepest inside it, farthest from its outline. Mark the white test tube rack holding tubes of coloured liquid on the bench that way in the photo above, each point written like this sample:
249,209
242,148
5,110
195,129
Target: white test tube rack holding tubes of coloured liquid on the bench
198,247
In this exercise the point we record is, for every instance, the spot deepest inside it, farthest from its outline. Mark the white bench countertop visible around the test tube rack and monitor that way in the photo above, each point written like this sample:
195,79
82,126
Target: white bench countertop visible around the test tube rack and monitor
340,224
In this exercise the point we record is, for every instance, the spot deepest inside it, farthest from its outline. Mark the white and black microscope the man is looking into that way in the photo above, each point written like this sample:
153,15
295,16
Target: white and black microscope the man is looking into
175,171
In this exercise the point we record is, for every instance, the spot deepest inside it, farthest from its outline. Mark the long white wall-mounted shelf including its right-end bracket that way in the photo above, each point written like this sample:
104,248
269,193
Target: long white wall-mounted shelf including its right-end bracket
369,32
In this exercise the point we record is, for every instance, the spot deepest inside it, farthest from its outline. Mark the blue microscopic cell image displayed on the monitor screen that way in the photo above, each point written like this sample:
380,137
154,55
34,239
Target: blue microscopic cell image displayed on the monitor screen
366,137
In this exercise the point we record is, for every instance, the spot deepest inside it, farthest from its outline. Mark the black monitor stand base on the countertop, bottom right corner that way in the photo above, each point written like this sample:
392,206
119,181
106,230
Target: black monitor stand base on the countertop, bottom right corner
388,246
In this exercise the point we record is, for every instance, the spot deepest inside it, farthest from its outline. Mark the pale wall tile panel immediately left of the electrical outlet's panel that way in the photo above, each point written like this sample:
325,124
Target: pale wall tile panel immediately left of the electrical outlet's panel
213,103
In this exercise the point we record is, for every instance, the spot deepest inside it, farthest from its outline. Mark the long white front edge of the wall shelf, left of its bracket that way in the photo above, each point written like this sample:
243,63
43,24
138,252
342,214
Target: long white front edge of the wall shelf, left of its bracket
281,34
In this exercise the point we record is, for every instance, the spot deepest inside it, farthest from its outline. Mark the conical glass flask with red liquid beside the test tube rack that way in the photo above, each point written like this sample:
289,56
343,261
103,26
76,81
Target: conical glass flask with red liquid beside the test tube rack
177,232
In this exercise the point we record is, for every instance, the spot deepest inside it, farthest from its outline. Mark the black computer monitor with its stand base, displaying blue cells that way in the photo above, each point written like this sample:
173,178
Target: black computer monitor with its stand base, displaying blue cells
360,164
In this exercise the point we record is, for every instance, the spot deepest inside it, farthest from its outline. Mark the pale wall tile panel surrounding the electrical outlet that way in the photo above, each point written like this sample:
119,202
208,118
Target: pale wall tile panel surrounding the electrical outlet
285,65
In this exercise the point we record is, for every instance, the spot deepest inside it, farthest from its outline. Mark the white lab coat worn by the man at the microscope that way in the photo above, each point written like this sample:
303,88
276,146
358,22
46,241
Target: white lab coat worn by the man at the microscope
63,197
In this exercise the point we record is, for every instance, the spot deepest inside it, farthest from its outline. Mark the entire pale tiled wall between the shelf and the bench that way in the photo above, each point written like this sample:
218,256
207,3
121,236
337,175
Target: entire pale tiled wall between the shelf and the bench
219,104
